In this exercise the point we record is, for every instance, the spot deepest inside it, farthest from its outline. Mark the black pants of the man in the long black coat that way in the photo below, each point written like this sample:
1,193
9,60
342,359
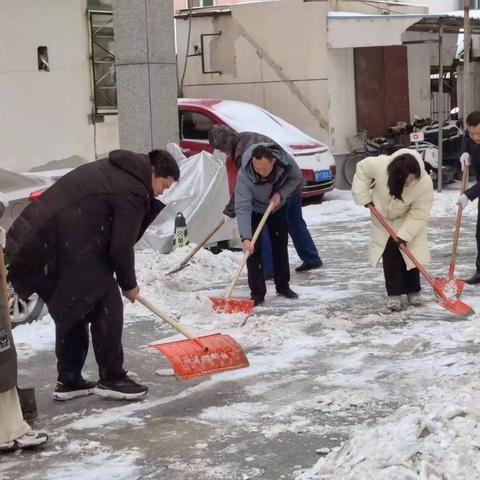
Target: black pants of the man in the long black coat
106,326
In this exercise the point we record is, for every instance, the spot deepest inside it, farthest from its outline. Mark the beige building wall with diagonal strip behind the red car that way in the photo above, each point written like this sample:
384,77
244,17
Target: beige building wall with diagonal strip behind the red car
279,64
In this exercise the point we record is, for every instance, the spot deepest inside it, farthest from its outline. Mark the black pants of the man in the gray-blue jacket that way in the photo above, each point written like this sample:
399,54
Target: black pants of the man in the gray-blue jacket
278,230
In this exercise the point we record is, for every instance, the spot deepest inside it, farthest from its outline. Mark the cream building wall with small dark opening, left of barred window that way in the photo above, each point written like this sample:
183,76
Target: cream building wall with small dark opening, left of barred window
45,114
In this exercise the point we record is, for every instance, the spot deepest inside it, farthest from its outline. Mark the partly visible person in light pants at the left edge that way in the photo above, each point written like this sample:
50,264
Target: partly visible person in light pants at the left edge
15,433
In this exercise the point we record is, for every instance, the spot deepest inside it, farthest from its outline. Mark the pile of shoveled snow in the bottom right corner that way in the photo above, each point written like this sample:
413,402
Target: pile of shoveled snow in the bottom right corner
437,441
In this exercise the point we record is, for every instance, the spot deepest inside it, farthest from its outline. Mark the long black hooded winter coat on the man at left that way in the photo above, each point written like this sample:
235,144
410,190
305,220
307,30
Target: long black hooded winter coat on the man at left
68,245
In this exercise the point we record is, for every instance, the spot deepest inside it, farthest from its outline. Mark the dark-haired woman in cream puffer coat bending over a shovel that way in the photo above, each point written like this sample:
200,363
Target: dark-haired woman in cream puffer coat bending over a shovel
402,191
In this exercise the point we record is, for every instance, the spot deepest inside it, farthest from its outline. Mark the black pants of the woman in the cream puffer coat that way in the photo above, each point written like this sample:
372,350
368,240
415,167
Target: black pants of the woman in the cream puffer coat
398,279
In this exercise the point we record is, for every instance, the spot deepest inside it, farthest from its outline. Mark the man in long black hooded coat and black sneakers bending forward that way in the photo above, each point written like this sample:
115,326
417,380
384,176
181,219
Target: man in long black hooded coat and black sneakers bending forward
69,245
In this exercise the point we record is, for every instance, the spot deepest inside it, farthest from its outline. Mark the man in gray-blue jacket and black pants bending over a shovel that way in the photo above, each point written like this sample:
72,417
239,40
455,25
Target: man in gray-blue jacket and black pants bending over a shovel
267,175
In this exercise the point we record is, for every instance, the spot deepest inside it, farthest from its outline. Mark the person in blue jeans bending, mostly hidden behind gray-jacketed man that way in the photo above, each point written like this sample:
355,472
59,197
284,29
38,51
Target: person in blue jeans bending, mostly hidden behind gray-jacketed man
234,145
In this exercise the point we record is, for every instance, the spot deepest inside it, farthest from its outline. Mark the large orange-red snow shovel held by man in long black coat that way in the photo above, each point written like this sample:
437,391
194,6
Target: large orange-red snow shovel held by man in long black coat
198,356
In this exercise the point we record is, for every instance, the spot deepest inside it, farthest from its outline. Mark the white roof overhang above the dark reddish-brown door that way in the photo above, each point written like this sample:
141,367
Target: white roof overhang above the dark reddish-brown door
348,29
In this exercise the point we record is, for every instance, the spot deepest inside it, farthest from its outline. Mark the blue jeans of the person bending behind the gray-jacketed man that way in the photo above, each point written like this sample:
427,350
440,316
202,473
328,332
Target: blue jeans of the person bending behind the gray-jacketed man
302,240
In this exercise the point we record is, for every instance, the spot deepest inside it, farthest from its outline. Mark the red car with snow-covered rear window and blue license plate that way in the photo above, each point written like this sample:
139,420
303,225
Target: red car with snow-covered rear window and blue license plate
197,116
